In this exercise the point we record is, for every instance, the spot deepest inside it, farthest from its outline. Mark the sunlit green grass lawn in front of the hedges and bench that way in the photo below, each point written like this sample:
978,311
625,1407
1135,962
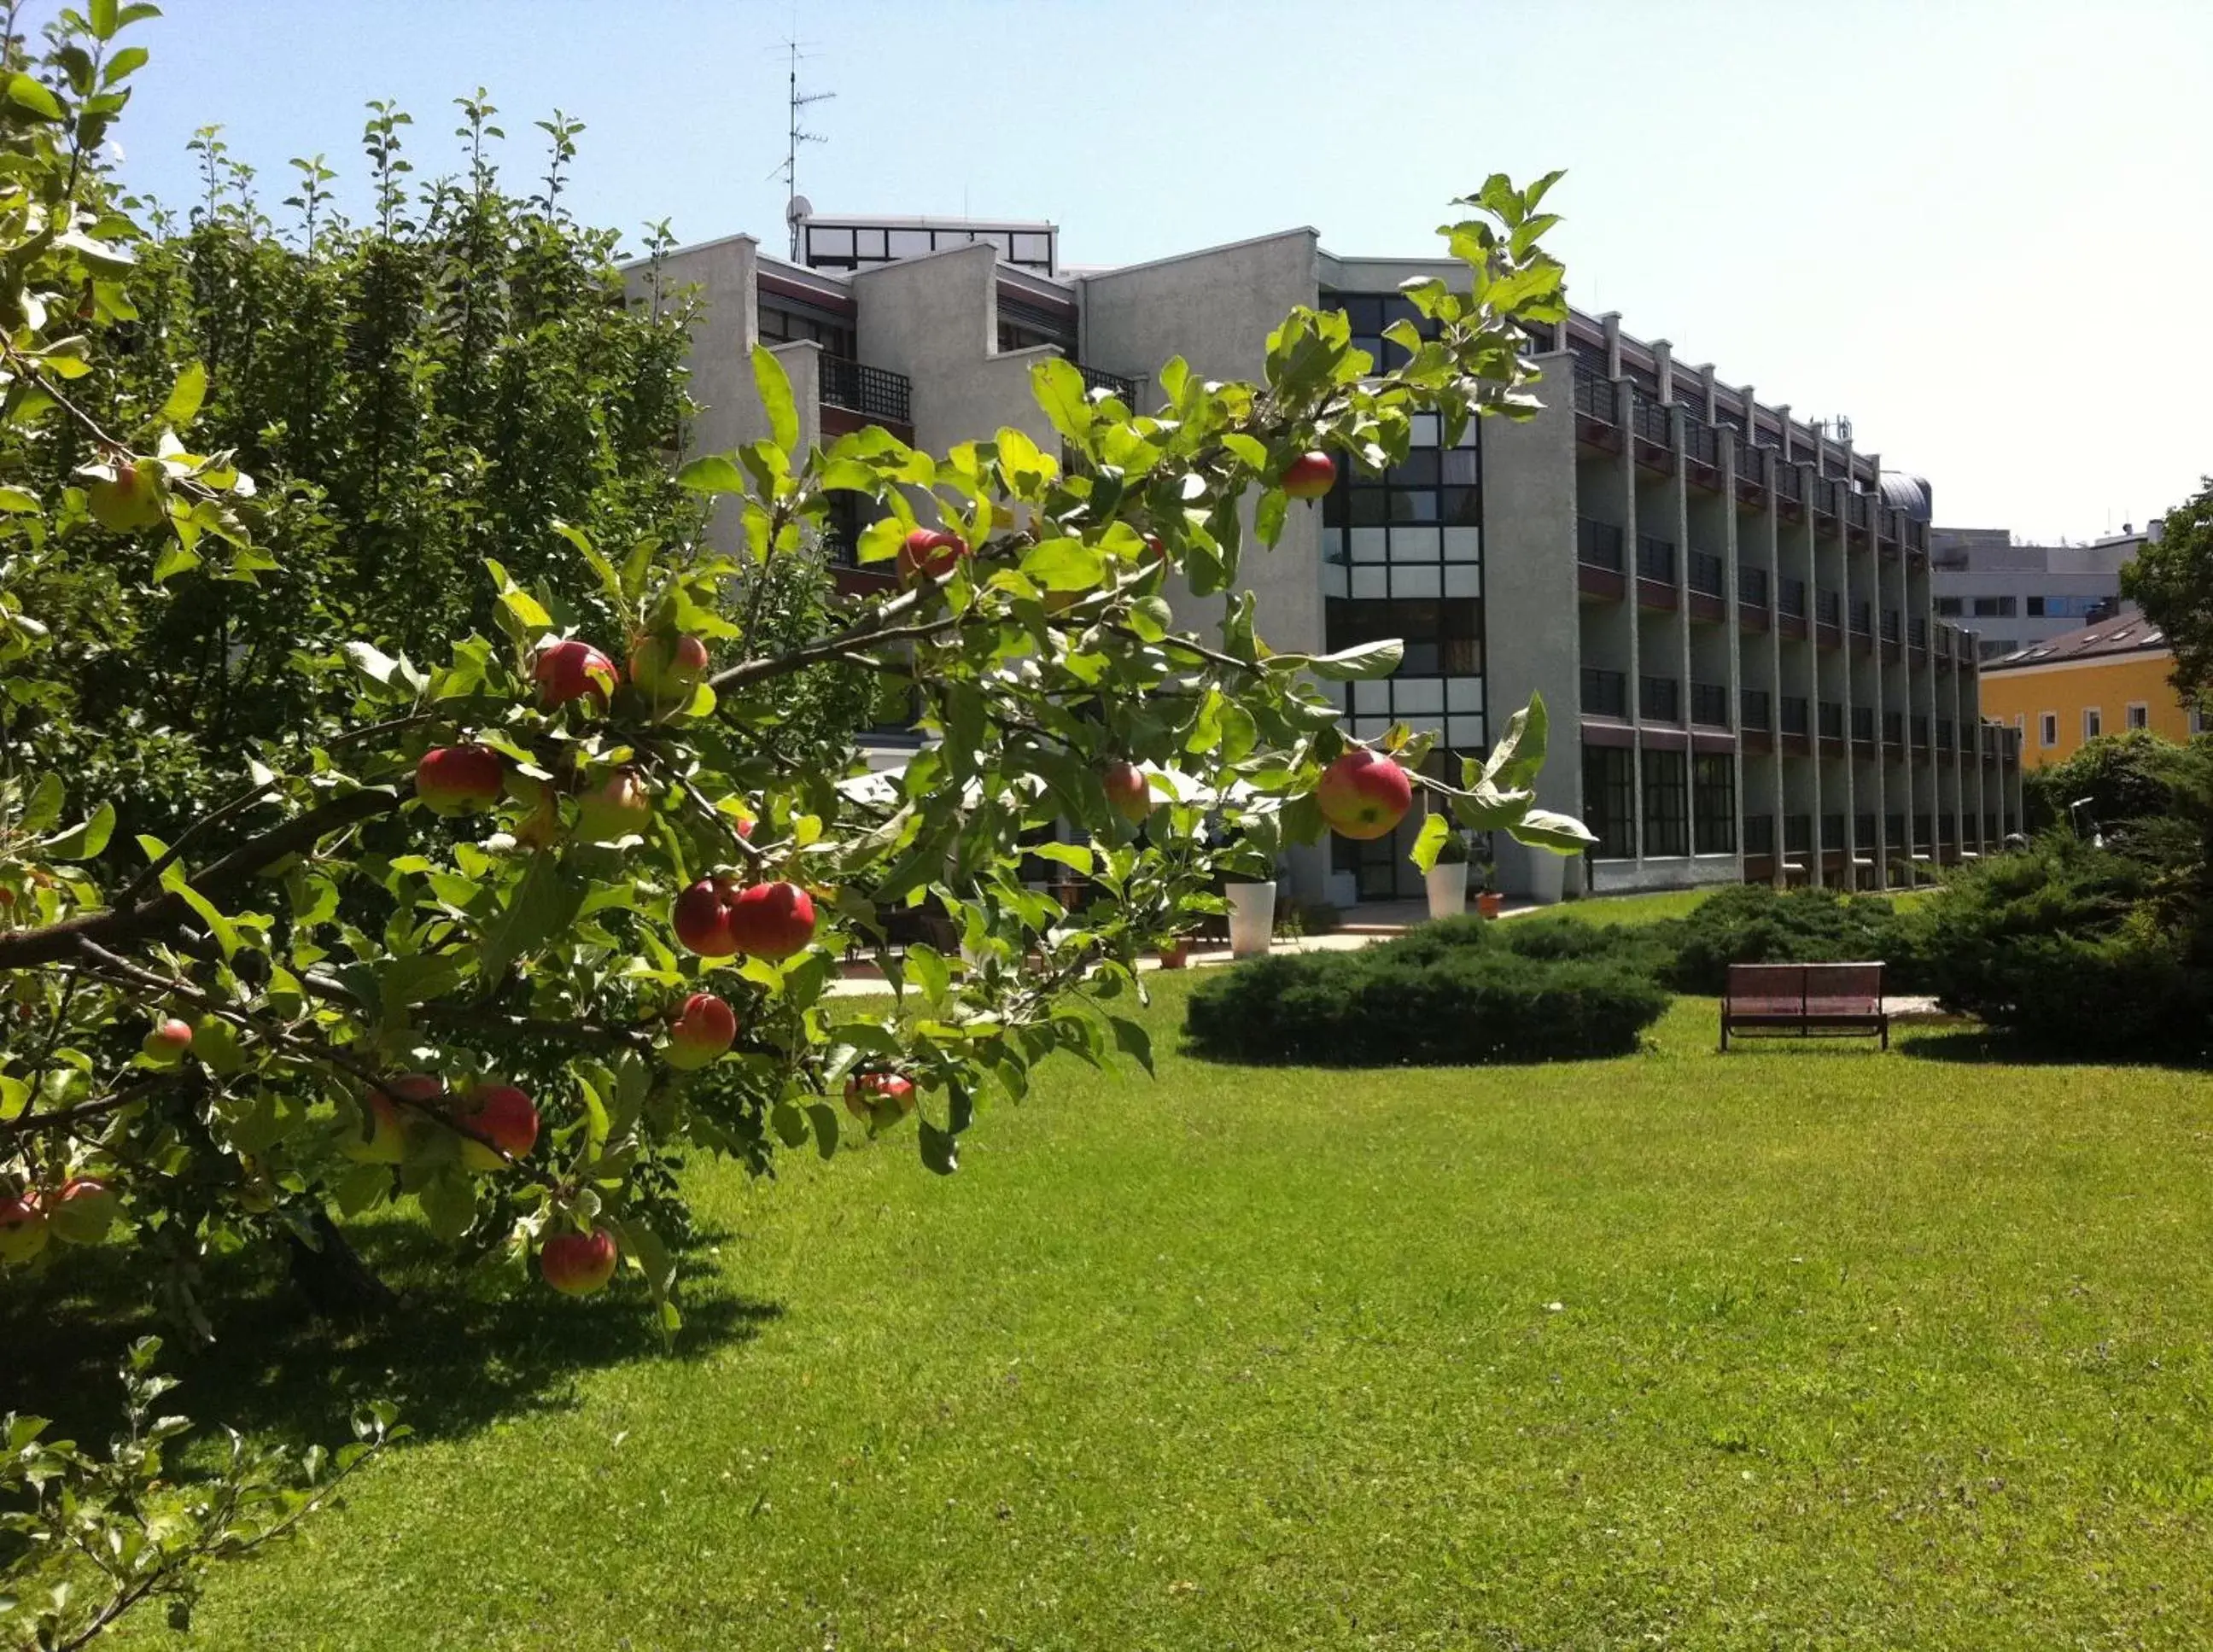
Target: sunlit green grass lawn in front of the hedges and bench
1787,1348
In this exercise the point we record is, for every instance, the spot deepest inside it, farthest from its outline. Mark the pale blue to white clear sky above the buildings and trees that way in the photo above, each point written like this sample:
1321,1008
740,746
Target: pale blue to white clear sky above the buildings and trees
1980,229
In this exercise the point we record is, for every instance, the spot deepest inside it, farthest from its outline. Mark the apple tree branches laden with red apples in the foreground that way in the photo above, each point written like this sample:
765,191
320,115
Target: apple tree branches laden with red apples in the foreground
519,926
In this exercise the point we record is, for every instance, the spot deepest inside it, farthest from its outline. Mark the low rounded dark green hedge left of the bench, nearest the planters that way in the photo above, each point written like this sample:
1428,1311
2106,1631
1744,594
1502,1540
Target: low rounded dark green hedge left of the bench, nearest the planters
1448,994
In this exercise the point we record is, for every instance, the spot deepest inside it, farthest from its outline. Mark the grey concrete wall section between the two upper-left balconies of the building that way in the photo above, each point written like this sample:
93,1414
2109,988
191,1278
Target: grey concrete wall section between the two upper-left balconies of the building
935,320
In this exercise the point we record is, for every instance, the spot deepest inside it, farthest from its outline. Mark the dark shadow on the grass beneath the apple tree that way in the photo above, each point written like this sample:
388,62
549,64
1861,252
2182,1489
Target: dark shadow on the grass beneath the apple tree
453,1357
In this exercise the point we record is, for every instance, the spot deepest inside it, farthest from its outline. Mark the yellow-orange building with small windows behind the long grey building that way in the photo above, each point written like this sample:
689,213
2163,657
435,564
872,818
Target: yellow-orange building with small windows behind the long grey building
2101,680
